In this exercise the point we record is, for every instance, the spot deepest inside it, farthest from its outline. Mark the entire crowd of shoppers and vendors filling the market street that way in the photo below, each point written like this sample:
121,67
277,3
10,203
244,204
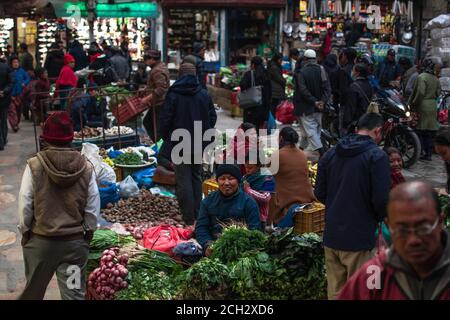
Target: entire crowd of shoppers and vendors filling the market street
364,193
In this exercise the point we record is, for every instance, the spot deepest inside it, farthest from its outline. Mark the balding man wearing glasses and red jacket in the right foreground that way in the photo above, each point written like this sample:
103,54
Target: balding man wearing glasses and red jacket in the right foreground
417,266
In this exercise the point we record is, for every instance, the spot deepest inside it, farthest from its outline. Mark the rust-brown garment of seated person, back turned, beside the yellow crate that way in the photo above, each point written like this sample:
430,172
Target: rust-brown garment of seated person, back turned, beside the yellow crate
292,184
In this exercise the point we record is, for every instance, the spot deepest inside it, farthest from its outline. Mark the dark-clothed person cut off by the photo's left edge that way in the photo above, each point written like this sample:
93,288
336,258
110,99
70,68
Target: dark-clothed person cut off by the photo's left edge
6,83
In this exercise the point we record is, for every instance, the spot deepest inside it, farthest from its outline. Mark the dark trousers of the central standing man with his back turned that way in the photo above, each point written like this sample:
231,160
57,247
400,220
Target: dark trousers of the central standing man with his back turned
189,190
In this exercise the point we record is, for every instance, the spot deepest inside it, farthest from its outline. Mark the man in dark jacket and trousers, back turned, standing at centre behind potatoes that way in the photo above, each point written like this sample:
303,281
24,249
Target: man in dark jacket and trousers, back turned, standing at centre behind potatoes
187,110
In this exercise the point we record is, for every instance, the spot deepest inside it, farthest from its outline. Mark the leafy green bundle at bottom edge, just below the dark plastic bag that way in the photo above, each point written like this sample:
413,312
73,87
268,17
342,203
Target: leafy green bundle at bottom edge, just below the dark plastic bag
206,280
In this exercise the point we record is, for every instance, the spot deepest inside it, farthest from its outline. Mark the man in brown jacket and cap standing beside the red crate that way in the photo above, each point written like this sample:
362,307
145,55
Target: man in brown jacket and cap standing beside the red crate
158,84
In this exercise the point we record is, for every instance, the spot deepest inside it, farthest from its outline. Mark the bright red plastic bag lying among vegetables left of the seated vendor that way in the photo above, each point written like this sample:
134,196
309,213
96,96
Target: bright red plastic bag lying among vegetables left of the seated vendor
165,237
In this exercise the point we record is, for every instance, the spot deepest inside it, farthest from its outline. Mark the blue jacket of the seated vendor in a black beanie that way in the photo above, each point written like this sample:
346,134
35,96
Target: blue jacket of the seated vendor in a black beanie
216,209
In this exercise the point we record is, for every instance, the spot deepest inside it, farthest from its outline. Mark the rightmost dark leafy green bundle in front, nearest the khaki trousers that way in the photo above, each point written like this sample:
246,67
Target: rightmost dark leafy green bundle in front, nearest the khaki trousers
258,276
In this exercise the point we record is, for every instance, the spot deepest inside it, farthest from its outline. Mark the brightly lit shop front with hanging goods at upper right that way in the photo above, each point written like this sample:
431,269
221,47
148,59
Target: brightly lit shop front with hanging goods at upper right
352,23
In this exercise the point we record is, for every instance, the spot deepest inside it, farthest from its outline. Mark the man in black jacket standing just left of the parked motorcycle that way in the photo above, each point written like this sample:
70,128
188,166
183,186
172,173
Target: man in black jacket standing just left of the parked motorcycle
357,98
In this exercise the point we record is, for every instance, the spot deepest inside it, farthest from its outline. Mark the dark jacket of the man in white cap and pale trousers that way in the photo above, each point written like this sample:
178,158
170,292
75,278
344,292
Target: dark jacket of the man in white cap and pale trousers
312,85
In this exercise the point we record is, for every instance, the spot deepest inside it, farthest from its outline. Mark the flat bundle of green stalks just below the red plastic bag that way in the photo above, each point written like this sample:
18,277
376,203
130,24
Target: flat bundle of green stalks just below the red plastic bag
154,261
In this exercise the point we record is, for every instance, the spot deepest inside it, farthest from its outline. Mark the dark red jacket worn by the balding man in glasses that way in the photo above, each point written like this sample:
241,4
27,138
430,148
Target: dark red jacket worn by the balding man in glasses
357,289
